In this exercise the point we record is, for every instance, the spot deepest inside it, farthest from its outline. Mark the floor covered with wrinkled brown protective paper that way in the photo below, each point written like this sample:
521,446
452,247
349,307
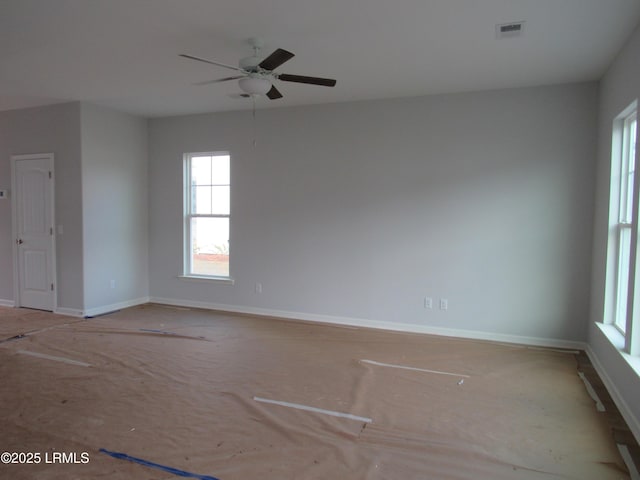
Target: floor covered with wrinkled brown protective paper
156,392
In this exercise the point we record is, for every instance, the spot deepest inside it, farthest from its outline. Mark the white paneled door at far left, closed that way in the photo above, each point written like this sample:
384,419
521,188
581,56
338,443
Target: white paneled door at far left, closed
34,250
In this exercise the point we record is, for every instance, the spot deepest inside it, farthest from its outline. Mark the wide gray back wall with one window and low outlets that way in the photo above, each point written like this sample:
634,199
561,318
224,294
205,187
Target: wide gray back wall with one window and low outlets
361,210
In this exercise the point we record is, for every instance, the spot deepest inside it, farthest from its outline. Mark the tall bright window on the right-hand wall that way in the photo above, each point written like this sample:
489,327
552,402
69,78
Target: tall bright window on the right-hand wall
624,230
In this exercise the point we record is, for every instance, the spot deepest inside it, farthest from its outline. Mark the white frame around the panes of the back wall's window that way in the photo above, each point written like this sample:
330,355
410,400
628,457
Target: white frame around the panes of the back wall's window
188,215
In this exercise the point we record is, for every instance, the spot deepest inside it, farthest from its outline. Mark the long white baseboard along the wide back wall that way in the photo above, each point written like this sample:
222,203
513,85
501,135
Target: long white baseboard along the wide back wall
377,324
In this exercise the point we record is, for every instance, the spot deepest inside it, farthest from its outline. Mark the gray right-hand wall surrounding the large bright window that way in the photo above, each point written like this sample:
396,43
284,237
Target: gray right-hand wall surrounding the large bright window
619,87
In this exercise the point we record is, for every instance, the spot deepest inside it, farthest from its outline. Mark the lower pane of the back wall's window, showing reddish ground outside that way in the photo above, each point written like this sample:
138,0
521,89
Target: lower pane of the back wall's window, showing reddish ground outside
210,246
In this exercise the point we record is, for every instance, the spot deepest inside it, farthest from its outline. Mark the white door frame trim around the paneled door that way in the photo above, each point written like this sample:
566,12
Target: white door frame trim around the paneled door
14,226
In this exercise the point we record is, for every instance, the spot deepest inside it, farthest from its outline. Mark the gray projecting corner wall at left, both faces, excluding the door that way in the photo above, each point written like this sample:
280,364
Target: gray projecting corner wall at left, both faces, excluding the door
101,201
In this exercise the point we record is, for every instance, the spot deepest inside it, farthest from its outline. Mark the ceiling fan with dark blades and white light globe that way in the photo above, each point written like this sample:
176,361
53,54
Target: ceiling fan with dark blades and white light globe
256,74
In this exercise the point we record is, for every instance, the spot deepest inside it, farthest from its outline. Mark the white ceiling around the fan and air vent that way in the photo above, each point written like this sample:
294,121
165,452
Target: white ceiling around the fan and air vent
124,53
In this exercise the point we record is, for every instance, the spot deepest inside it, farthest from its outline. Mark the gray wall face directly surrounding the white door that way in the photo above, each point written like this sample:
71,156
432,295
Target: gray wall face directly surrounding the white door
53,129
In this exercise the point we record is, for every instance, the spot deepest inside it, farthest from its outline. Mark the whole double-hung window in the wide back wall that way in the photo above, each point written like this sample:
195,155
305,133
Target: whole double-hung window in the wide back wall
207,193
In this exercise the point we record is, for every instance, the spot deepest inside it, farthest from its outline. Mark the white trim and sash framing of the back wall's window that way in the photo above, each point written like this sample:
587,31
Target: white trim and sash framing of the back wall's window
186,223
